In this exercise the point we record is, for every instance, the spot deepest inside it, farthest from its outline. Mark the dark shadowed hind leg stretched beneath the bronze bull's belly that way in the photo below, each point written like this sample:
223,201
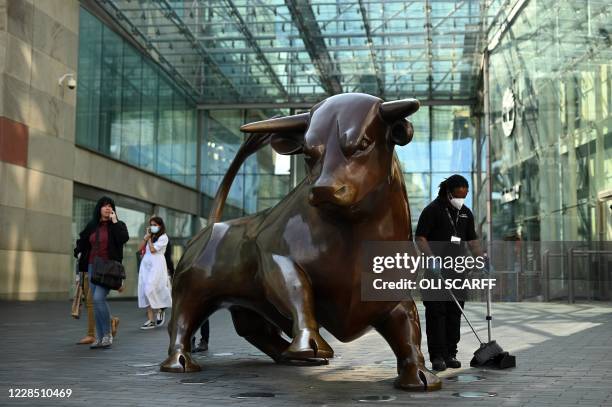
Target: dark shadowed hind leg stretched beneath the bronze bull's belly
259,332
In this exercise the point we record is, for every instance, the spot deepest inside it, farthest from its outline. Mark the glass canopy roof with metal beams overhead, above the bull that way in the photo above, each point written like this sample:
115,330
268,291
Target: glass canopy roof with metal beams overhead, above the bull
300,51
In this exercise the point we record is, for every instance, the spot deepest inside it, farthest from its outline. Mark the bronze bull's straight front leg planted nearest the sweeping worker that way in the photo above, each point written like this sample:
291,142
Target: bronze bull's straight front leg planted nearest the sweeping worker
402,330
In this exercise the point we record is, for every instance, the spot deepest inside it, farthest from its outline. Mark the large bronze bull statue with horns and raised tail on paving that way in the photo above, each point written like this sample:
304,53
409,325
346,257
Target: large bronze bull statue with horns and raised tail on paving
297,265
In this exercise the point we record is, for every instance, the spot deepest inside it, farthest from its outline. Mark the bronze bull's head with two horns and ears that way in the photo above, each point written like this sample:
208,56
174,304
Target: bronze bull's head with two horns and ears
347,141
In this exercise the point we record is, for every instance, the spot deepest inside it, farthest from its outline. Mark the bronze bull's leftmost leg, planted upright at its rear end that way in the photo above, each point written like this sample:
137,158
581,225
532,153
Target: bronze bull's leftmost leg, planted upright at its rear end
189,310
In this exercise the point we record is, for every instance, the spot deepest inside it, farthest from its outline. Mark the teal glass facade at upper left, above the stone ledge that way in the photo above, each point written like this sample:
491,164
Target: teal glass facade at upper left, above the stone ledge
128,109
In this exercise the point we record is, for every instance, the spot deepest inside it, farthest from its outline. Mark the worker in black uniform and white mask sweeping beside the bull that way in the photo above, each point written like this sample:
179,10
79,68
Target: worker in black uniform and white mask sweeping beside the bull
444,228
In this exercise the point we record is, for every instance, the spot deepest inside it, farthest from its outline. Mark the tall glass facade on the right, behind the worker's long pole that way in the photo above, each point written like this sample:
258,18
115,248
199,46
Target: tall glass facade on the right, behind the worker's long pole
549,93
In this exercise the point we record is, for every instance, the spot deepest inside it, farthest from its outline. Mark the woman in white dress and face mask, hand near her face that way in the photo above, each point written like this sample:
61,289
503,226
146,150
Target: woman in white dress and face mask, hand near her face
154,291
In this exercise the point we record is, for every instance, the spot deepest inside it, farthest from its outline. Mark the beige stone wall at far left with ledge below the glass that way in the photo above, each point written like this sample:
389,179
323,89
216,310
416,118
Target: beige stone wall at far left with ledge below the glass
39,161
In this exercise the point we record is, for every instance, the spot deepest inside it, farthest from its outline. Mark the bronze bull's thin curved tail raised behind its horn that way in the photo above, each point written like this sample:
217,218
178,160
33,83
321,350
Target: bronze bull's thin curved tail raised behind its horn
252,144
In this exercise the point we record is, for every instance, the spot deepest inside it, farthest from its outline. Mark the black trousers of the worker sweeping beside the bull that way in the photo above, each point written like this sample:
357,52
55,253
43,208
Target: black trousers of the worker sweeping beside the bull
443,323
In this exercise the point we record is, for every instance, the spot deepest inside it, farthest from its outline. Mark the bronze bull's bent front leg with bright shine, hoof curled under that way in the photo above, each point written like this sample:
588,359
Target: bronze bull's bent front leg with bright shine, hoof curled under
289,290
